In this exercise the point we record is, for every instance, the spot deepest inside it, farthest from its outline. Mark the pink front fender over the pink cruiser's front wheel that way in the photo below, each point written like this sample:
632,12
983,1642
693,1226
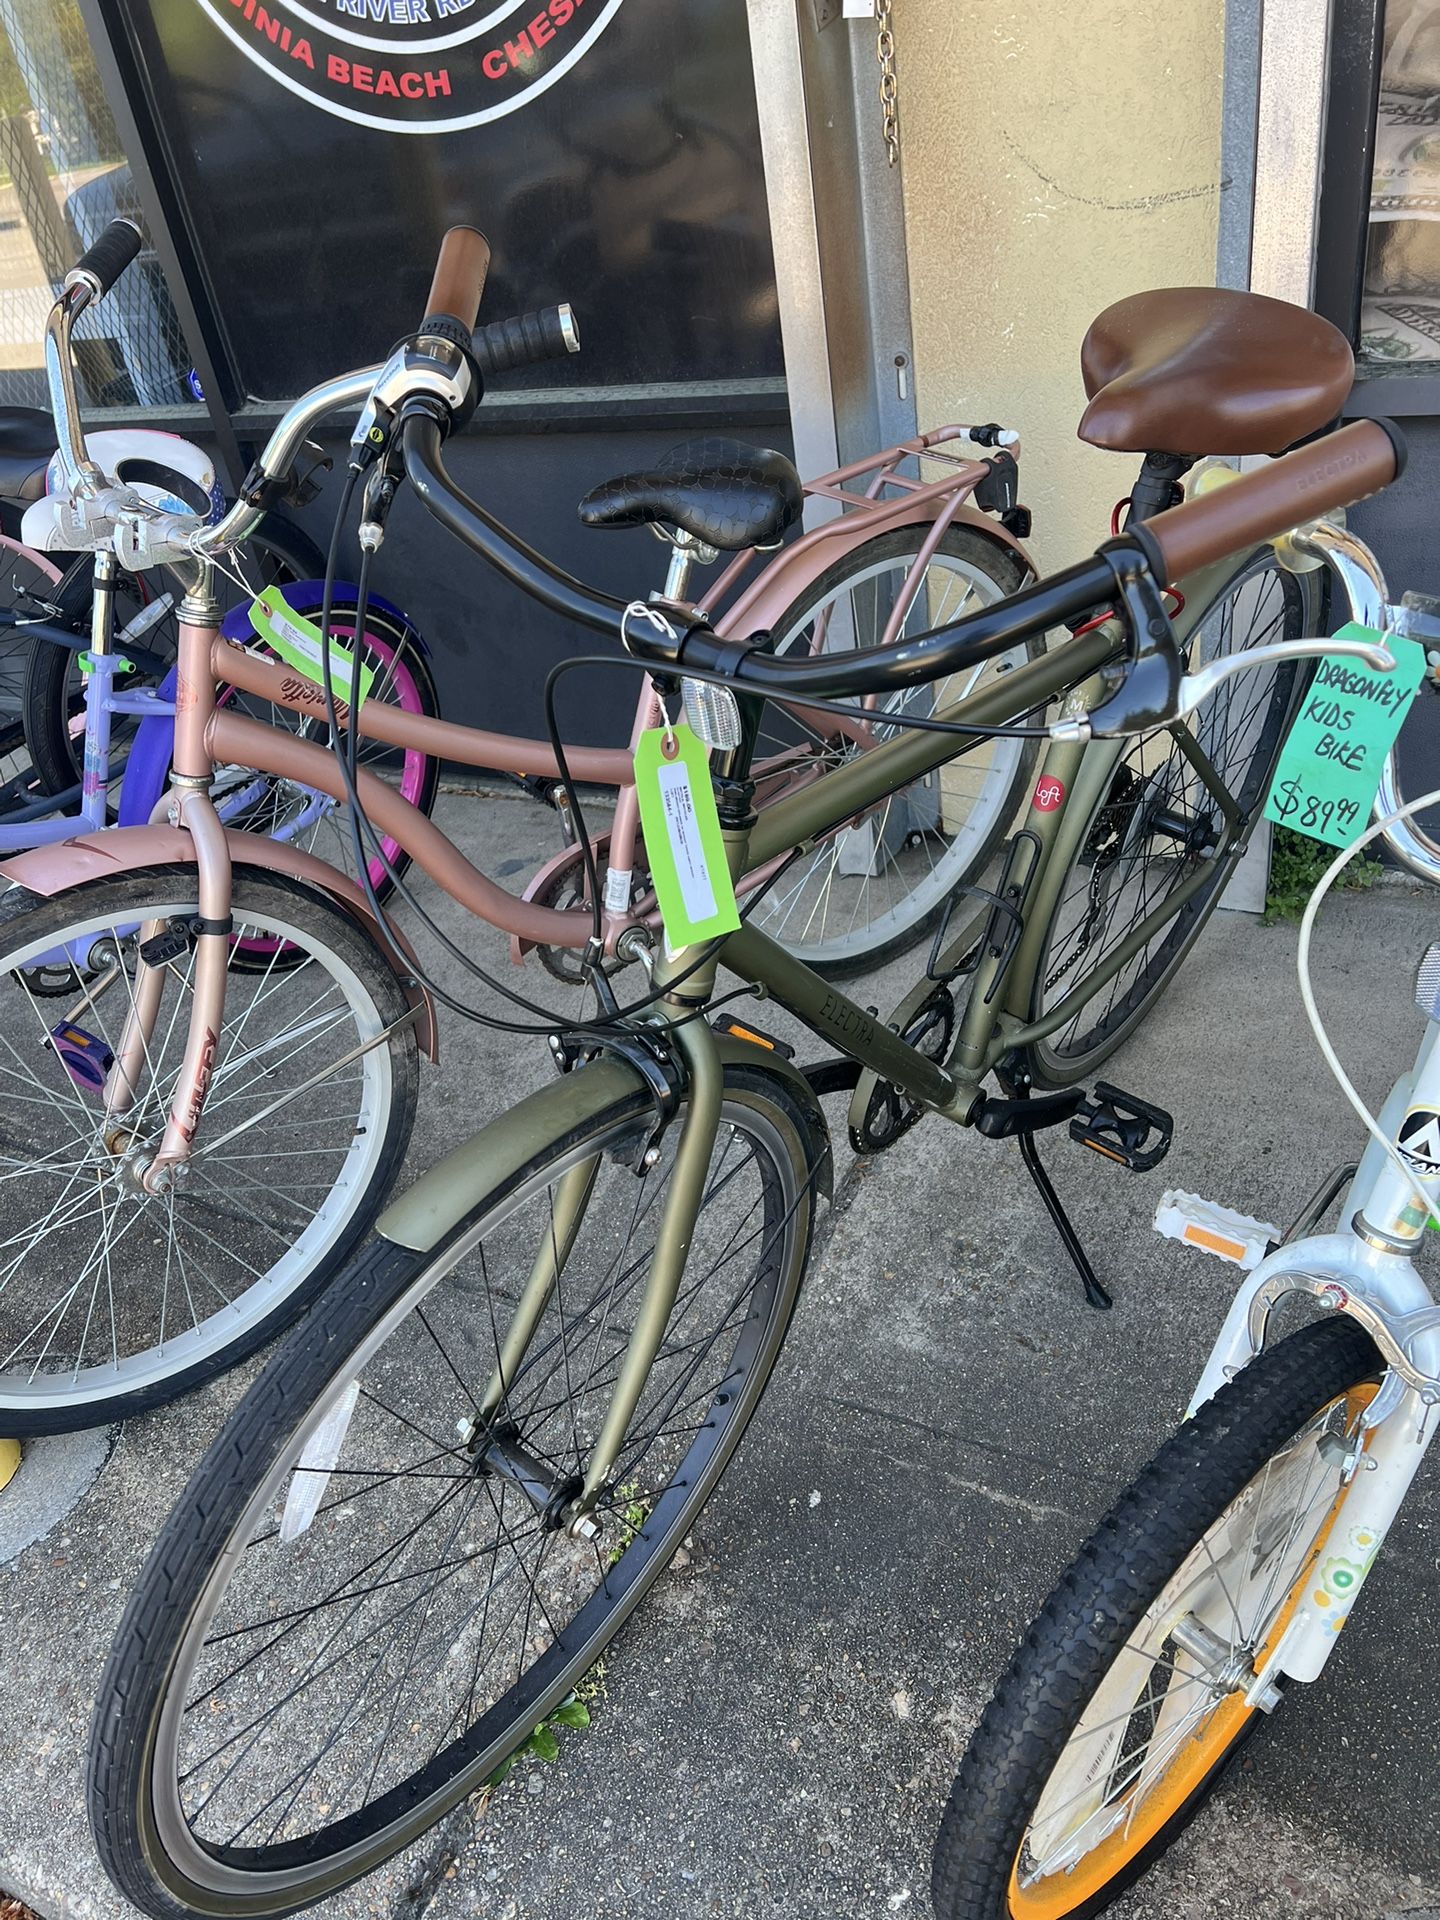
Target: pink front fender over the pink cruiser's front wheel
51,871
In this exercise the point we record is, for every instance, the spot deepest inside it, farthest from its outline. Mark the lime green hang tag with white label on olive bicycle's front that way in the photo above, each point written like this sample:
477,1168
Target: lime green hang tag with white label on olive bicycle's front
683,838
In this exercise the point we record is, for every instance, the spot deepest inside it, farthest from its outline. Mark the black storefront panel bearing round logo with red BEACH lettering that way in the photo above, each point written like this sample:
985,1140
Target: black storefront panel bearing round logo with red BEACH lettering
608,149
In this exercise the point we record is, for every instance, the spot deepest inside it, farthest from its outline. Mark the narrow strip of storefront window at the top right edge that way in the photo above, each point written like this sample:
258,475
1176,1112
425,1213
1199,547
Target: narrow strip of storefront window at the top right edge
1401,320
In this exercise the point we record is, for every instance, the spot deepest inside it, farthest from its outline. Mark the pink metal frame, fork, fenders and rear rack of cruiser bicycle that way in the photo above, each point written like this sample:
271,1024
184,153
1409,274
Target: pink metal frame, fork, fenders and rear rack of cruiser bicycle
187,825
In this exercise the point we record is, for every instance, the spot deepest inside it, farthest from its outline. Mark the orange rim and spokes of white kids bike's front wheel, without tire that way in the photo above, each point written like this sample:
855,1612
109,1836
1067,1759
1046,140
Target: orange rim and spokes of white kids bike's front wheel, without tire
1143,1746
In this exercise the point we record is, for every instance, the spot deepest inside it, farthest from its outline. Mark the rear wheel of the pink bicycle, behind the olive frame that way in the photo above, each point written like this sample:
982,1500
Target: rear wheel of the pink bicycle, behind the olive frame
876,888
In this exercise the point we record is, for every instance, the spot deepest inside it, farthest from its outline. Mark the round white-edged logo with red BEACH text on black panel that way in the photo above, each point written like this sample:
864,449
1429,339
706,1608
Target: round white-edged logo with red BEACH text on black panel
416,66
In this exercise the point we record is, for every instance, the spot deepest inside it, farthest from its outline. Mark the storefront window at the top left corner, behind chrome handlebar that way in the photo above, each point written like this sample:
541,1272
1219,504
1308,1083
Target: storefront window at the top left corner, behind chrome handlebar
62,181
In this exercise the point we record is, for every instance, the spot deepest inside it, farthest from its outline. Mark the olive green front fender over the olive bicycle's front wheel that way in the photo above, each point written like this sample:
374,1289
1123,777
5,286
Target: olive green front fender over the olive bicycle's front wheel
494,1161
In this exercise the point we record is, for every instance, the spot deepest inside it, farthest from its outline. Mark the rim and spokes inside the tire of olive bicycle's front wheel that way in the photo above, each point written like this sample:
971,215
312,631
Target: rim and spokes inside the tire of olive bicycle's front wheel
406,1760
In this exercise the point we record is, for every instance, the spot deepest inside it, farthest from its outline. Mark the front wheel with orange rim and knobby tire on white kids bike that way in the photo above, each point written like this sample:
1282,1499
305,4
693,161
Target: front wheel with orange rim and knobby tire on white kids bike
1126,1702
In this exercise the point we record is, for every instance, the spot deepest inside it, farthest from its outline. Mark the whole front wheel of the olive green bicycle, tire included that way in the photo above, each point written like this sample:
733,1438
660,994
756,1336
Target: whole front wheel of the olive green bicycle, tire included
362,1608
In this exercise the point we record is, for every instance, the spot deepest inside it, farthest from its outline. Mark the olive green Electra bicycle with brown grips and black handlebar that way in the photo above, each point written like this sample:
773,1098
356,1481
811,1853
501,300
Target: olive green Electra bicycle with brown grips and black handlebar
462,1474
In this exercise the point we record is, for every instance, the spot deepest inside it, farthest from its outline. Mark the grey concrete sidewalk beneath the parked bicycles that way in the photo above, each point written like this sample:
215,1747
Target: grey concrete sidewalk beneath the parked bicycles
780,1723
